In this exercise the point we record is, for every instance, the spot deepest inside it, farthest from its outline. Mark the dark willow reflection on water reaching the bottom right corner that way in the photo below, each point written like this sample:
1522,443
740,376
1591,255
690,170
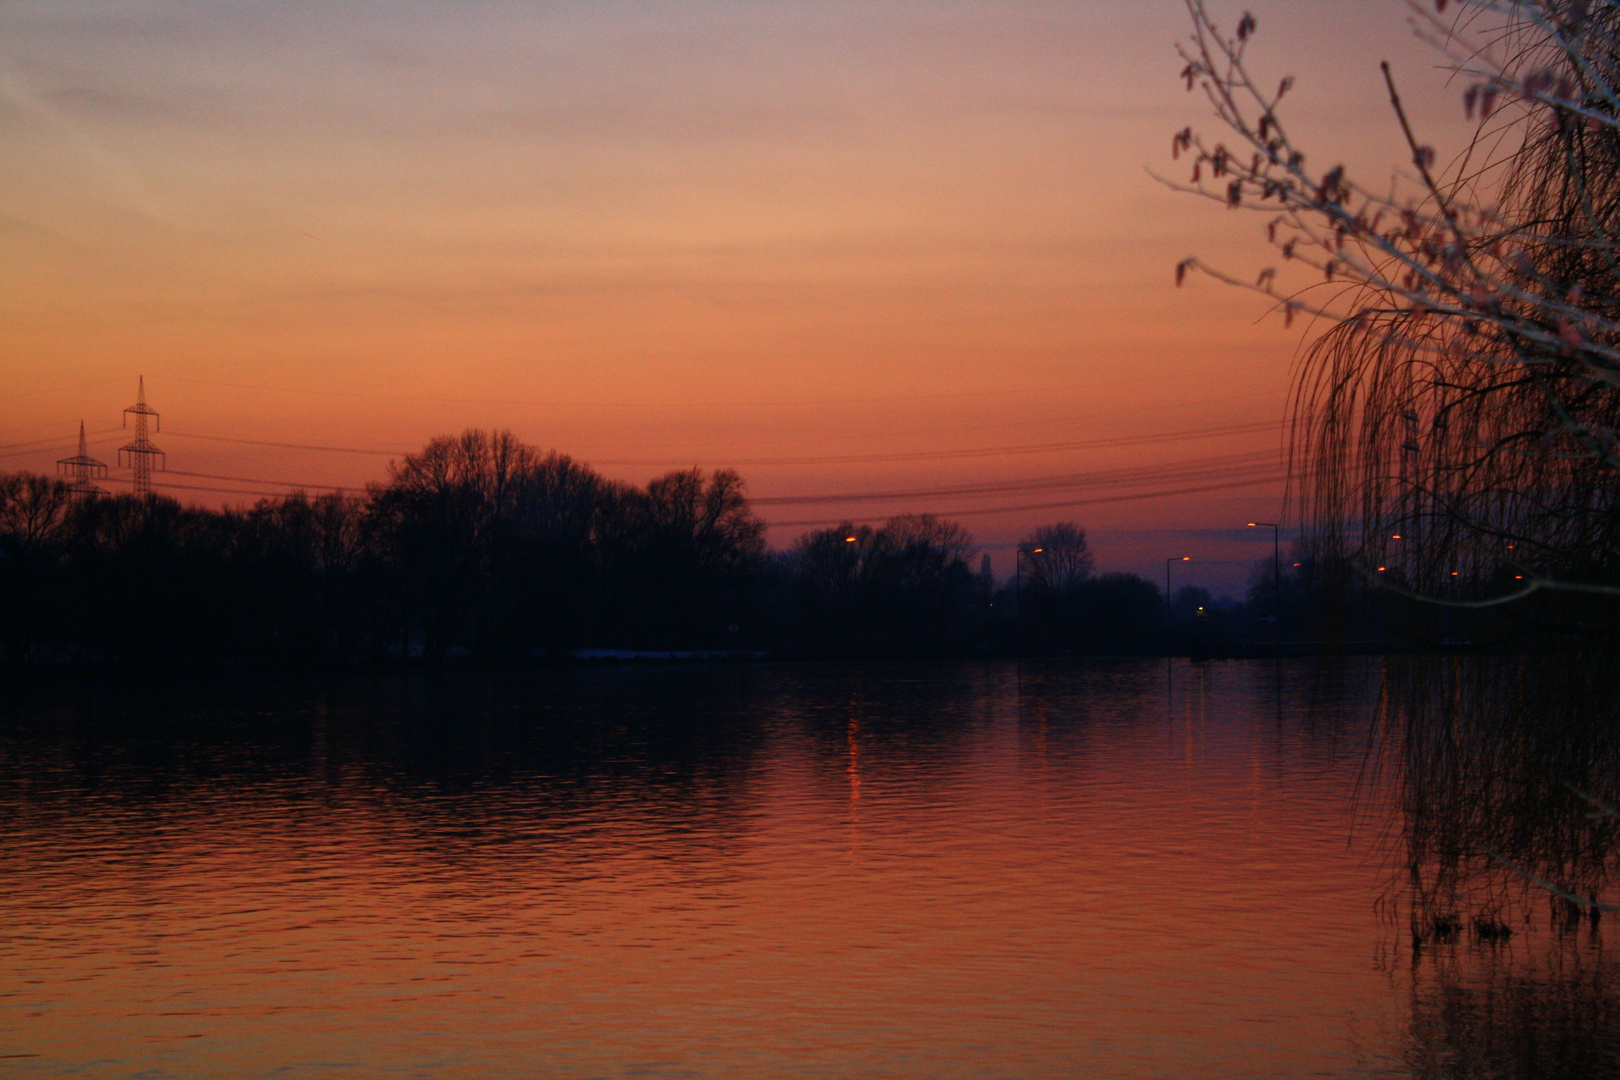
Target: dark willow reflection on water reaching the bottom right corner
1493,755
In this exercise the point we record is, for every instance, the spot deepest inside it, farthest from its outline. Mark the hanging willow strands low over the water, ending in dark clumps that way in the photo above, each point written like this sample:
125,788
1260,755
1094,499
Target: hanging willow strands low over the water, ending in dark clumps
1496,755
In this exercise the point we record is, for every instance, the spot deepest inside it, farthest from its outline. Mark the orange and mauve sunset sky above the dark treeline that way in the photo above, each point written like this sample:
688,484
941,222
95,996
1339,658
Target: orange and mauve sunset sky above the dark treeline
877,257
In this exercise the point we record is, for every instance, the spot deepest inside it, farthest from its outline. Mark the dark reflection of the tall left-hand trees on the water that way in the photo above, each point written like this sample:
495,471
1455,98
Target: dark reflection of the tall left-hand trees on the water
454,763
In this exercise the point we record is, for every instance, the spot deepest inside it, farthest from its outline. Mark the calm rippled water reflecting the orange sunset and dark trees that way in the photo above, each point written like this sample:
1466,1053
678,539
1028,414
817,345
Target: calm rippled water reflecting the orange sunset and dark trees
1104,870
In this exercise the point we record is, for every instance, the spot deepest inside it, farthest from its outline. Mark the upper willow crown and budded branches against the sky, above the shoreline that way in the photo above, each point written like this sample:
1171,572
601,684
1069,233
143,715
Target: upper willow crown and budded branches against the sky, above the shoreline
1457,422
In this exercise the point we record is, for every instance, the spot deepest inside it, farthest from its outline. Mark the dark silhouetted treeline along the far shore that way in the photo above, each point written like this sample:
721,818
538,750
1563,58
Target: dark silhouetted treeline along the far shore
490,550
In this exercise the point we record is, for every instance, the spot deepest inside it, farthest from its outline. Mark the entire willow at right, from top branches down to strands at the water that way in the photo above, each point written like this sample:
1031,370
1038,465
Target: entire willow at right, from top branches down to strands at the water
1456,425
